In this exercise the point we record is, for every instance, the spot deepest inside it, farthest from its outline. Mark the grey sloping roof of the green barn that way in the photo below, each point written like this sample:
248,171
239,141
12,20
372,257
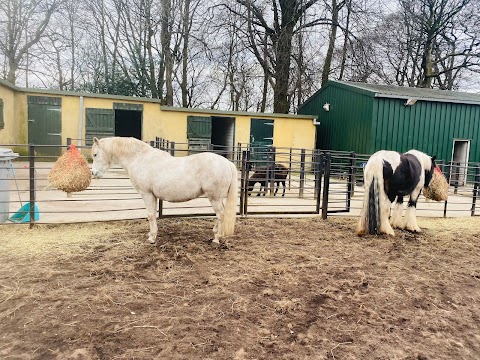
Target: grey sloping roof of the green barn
401,92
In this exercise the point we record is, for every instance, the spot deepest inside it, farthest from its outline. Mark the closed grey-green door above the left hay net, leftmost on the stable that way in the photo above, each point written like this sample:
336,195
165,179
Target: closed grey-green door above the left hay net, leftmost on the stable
45,124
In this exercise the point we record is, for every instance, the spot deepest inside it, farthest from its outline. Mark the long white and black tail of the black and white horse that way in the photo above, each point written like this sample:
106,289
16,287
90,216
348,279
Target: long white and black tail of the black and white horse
370,221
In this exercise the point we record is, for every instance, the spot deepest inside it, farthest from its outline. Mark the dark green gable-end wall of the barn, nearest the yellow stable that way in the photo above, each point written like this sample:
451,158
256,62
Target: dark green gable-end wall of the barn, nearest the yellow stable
347,126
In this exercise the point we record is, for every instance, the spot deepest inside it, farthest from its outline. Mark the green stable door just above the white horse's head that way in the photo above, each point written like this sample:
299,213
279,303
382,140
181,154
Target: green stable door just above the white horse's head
99,123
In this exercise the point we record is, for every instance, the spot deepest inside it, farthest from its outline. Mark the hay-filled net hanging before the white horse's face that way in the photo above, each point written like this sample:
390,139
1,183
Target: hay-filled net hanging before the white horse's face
70,172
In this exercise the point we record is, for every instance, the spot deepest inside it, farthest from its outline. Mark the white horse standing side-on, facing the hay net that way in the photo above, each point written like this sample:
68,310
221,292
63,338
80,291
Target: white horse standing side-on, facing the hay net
155,174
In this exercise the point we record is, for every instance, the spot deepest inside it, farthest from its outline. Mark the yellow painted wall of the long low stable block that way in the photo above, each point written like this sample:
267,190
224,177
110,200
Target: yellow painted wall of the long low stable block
171,124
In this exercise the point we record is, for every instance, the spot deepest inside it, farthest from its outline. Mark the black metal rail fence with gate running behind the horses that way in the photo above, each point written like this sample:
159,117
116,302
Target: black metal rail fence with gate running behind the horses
317,182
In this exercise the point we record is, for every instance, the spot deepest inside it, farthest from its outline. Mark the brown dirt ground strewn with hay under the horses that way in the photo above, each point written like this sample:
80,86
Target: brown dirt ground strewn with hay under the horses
278,289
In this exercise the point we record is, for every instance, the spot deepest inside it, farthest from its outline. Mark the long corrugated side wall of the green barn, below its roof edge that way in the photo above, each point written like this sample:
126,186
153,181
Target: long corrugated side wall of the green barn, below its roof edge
427,126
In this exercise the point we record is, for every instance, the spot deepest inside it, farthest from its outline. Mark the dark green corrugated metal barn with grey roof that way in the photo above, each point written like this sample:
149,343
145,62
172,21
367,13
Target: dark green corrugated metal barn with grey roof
365,118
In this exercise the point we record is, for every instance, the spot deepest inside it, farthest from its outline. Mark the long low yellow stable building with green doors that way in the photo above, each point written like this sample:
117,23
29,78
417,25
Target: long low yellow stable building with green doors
45,117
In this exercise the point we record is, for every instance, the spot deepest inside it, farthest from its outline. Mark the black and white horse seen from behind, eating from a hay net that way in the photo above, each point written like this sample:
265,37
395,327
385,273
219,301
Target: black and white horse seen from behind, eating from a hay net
390,175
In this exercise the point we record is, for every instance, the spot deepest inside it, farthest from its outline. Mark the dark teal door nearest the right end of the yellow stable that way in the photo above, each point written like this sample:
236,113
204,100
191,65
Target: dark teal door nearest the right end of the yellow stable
261,138
